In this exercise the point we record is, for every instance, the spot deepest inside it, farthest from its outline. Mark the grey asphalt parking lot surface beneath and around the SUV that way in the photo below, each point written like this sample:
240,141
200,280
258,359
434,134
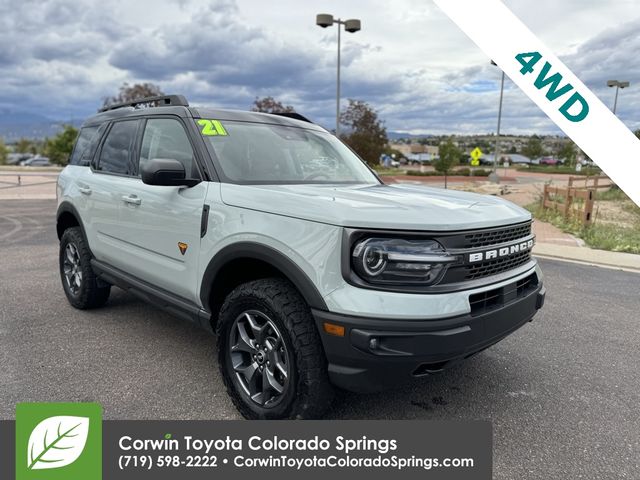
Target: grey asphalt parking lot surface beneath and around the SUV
563,392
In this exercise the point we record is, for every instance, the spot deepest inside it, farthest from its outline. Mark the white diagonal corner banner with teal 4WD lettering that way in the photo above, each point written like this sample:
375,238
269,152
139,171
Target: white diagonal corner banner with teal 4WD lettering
547,81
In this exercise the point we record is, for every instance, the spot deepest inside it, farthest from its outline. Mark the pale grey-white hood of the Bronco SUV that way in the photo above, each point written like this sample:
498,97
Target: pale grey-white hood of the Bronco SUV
398,207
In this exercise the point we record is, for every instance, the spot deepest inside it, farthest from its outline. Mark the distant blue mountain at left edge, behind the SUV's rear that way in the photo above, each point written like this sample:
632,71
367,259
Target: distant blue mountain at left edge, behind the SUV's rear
16,125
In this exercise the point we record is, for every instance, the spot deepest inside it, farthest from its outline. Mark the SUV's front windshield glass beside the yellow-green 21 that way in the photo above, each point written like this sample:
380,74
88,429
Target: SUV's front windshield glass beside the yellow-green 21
260,153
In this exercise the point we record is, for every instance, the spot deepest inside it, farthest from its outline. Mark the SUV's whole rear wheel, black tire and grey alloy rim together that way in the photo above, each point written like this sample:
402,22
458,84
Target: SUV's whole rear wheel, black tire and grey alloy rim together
82,287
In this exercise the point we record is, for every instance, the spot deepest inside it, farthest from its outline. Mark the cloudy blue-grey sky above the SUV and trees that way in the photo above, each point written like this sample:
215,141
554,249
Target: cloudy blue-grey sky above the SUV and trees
60,58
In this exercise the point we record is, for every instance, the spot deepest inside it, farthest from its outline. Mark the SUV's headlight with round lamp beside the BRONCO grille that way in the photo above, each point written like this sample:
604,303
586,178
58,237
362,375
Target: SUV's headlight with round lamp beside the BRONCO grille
398,261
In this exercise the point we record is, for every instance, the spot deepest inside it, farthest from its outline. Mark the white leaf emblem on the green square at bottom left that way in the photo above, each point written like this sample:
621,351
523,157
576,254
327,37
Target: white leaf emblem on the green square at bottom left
57,442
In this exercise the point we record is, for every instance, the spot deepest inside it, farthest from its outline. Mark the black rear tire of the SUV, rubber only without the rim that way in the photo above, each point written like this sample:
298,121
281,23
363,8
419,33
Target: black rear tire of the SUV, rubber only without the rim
92,292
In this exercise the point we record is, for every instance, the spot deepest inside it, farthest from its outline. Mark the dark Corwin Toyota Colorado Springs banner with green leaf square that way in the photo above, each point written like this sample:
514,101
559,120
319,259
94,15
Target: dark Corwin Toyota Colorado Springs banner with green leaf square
43,445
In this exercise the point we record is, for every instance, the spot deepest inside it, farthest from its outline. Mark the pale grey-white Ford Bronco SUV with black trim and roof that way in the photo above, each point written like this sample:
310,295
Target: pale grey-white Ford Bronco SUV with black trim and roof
268,230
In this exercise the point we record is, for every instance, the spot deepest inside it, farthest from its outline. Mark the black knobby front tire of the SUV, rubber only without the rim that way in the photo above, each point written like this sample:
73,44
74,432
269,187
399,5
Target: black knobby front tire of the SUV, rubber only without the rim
309,393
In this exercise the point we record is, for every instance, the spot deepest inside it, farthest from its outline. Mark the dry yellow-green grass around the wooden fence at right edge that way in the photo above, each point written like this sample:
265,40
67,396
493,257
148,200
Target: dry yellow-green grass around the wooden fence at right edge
600,235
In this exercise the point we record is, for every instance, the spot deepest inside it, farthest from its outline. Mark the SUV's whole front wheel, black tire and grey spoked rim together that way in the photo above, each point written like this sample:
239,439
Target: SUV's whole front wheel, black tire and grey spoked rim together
270,353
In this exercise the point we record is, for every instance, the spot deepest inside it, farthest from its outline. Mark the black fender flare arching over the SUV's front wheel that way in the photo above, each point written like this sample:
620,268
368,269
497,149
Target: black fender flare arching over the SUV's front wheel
269,255
